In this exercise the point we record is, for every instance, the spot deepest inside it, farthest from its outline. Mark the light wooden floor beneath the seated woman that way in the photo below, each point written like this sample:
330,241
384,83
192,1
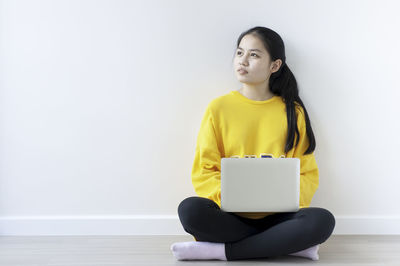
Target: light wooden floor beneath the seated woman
155,250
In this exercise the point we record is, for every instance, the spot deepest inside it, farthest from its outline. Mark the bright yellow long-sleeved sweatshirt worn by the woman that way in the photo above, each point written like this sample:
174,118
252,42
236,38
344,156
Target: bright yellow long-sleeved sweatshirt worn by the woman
236,126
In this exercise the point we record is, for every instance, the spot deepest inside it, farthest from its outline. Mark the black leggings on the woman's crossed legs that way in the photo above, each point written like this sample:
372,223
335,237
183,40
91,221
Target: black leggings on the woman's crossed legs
274,235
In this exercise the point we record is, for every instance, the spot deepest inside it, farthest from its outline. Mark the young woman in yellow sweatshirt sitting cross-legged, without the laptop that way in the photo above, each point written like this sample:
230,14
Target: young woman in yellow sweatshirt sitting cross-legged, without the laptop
264,118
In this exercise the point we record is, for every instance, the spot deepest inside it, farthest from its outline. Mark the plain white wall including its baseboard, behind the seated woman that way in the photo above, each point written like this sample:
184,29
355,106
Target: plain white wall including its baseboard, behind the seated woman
101,103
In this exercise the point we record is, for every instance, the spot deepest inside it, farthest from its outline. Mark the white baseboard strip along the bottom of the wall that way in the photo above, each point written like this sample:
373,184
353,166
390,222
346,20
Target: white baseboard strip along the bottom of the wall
163,225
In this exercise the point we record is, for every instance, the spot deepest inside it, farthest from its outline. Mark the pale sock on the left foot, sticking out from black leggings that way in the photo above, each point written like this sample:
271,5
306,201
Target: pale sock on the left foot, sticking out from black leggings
198,250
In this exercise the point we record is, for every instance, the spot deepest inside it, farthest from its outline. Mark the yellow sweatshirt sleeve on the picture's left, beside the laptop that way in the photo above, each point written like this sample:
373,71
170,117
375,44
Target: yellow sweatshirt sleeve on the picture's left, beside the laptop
206,170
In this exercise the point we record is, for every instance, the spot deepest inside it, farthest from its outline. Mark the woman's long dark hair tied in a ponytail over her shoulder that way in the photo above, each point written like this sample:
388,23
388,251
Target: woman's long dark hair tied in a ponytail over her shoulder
283,83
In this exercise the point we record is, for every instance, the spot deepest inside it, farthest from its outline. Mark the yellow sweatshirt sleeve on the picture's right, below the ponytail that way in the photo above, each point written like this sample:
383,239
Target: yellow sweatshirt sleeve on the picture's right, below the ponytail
309,173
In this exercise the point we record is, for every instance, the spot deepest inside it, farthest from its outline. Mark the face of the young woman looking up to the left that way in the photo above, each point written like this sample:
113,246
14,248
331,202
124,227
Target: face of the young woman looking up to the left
254,58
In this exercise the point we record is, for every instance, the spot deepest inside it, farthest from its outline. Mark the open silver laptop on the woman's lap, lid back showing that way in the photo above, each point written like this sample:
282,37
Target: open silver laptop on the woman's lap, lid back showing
260,184
